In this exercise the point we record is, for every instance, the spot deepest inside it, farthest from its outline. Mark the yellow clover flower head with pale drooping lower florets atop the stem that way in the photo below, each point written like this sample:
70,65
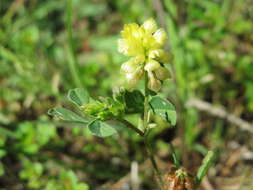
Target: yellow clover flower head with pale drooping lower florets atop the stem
145,46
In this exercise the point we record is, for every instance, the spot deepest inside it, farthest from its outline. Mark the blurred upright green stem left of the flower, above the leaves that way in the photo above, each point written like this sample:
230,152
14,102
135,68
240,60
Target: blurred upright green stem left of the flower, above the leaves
72,62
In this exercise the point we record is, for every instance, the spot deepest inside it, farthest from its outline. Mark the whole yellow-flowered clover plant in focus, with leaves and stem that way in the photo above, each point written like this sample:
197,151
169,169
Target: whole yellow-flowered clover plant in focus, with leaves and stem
105,116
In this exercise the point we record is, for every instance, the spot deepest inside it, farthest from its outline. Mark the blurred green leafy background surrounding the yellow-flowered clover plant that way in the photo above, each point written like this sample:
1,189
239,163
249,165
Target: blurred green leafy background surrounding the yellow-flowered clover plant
50,46
